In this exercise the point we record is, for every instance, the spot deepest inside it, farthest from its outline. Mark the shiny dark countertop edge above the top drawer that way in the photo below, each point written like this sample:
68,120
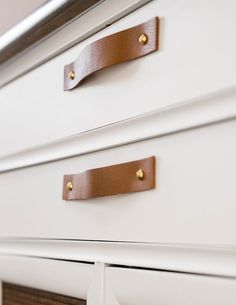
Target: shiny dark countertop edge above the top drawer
42,22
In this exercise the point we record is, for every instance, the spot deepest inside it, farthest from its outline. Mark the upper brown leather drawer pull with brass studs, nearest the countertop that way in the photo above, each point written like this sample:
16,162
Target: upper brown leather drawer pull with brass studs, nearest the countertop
120,47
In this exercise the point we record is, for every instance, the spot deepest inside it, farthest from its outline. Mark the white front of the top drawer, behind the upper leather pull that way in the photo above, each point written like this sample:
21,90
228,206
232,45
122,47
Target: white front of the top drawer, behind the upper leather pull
196,58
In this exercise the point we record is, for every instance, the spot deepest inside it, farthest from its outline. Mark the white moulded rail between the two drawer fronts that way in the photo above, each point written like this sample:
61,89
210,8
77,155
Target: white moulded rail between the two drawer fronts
214,108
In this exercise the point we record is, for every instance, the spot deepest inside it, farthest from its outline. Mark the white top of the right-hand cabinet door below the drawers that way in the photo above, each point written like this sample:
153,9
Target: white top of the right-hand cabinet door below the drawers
138,287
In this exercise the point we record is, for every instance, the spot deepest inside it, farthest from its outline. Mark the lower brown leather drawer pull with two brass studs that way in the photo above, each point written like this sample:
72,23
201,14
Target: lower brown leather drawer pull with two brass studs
121,178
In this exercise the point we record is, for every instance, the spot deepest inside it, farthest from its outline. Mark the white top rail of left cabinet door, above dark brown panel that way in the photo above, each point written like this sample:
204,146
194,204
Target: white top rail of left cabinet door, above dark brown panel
48,274
